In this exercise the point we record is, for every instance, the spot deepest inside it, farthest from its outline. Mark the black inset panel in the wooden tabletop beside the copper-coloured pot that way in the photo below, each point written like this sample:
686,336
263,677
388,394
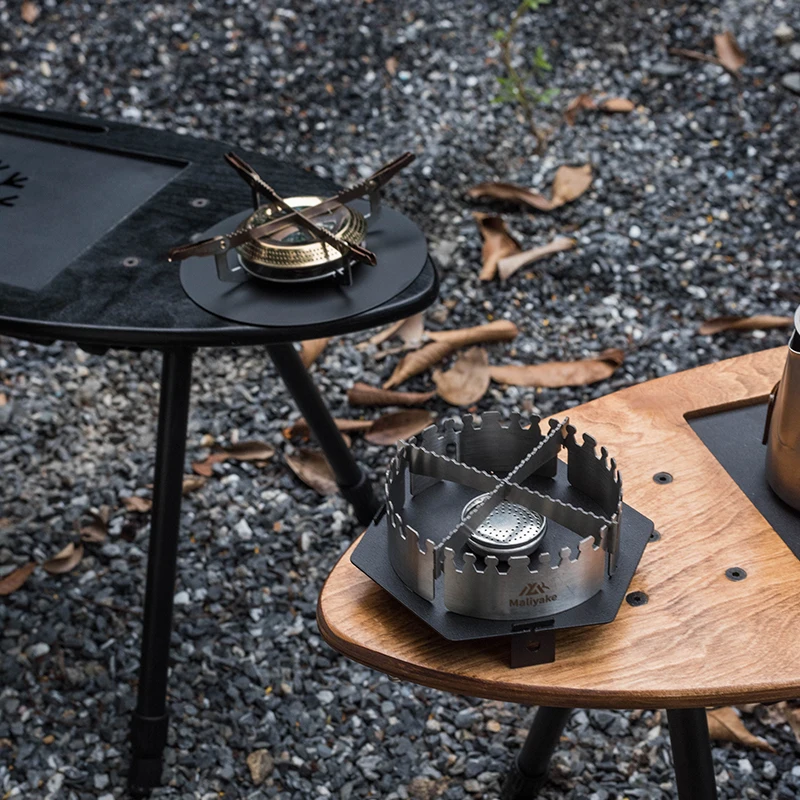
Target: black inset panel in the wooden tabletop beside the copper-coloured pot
734,439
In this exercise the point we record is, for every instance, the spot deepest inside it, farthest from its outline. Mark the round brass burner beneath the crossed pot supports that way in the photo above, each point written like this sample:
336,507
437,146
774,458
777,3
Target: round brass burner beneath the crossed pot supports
292,253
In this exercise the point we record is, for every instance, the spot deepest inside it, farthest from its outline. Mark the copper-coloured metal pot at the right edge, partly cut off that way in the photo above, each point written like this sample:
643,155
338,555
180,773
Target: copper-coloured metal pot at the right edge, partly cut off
782,430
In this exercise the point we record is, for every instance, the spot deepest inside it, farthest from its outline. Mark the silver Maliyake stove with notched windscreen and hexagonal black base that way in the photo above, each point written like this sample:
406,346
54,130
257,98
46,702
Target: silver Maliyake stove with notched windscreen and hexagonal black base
486,532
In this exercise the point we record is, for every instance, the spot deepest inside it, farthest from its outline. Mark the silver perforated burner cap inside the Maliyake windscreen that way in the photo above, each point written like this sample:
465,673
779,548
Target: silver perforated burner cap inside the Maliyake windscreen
510,530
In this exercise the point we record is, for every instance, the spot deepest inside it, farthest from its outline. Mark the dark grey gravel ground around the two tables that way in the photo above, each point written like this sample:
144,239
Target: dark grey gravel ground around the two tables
691,215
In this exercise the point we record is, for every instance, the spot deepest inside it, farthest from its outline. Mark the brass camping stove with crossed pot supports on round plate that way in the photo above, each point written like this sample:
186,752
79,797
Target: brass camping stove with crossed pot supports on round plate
296,239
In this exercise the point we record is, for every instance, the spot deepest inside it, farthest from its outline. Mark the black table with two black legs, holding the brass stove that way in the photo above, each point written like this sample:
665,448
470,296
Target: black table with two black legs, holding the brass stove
85,223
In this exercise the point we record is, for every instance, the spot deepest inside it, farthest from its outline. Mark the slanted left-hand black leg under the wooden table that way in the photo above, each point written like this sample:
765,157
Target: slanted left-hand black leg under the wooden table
529,771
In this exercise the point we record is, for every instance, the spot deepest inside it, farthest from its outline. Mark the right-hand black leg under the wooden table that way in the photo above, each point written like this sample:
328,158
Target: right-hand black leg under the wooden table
691,754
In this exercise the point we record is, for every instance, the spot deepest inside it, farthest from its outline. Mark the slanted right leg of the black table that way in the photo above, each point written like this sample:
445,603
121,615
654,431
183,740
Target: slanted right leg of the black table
352,481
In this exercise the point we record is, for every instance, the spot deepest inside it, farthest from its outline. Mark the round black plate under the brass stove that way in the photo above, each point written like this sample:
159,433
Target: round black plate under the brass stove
397,242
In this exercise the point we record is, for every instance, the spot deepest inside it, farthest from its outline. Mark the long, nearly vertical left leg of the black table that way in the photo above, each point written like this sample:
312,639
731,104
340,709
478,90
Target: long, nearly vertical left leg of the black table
150,721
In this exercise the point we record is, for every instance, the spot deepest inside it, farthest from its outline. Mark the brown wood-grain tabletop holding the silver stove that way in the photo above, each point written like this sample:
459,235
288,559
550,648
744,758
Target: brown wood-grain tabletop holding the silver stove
700,640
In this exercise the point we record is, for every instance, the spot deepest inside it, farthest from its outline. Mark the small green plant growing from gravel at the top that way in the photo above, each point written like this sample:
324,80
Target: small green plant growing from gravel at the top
522,87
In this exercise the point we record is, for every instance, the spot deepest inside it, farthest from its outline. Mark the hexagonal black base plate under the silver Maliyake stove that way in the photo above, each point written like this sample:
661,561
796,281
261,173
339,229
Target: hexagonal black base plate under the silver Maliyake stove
442,503
